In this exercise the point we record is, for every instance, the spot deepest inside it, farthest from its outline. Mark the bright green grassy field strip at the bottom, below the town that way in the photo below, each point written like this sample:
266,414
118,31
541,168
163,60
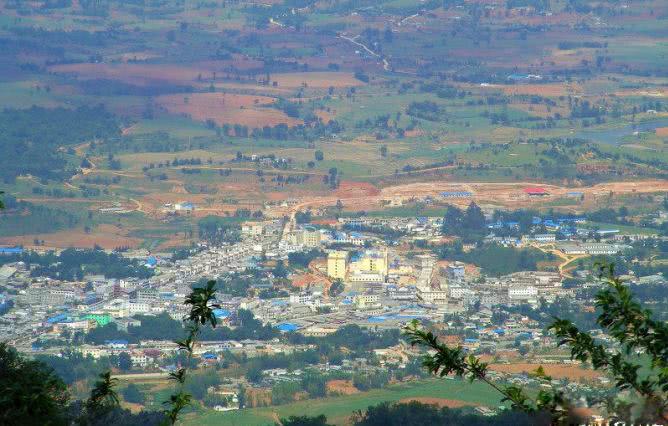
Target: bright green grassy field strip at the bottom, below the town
338,409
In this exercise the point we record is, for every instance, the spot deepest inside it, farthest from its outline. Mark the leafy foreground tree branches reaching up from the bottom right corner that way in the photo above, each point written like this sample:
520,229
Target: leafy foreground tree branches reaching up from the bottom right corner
633,330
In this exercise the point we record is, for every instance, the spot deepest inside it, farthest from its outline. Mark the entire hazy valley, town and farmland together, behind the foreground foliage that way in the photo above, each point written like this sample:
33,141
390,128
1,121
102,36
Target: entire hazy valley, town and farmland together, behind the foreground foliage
340,167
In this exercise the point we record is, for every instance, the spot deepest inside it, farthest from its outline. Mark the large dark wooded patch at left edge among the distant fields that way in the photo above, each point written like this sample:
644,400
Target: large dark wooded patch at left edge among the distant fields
32,138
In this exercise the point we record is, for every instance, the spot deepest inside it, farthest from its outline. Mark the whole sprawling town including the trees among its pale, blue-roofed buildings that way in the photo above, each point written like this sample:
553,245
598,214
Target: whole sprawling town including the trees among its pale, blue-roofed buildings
486,279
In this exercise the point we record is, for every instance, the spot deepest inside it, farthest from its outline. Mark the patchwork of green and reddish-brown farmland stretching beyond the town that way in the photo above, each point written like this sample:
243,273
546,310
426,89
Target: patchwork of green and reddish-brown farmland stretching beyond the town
239,107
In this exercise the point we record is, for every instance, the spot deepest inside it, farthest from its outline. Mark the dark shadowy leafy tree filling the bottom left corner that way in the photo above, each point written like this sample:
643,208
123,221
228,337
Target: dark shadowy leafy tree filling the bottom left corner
30,390
